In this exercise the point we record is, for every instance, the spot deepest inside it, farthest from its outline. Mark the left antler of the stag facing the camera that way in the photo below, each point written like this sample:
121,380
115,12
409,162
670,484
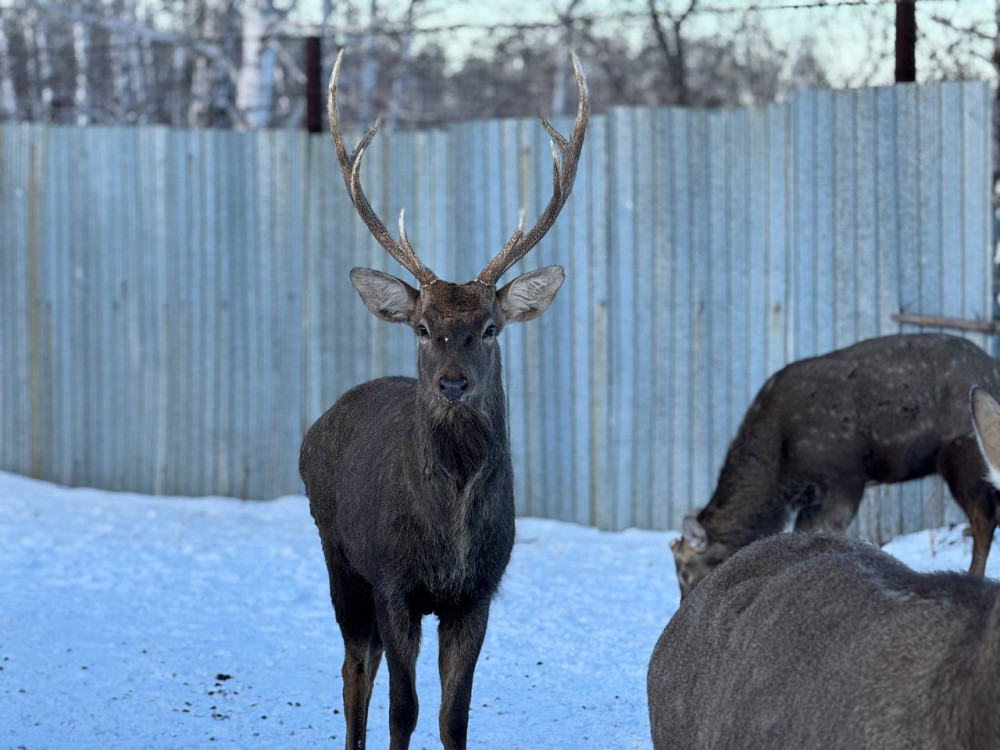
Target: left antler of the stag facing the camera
350,167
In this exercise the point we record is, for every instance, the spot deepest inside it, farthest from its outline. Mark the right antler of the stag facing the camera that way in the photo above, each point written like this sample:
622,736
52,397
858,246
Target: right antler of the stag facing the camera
564,165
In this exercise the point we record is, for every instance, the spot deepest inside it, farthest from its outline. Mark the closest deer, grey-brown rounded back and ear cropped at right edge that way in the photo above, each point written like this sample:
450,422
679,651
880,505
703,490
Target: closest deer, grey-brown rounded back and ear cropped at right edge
820,641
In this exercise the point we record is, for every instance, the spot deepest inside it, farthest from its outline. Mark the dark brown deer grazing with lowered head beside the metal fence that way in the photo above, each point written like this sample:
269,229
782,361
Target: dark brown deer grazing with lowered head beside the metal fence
885,410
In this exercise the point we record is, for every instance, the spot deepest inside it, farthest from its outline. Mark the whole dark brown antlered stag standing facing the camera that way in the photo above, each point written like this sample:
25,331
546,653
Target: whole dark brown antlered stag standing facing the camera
409,480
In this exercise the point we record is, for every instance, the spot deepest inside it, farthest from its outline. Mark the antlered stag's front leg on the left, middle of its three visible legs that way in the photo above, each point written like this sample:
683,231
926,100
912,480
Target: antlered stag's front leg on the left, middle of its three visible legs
399,628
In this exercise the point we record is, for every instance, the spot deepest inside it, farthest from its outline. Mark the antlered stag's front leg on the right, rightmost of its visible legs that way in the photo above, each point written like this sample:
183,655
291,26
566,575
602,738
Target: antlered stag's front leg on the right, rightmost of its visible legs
460,638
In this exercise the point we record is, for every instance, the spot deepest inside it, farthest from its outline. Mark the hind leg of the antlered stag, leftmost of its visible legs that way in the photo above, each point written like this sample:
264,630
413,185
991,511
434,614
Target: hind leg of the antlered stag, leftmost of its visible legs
355,608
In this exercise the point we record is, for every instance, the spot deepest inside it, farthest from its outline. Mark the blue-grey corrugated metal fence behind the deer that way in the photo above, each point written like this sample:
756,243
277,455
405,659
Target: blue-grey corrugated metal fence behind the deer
175,308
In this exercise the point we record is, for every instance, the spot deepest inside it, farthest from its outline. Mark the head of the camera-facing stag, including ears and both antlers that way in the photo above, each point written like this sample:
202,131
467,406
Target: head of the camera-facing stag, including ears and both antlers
457,324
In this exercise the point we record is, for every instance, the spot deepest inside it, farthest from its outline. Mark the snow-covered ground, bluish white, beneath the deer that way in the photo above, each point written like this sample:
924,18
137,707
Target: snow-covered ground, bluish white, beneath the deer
158,622
